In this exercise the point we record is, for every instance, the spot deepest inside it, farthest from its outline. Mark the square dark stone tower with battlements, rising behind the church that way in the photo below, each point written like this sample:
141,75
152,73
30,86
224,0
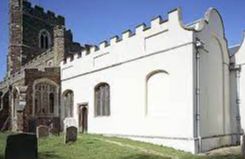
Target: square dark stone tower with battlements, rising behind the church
26,27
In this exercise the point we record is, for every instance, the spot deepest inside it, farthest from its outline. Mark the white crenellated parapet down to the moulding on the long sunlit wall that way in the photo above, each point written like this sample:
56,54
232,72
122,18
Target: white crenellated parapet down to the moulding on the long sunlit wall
160,37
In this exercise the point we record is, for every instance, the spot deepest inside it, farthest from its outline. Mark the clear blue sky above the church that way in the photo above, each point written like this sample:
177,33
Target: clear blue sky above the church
93,21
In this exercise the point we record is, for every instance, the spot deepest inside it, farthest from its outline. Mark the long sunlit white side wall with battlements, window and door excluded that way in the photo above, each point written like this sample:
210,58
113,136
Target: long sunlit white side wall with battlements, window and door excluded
125,66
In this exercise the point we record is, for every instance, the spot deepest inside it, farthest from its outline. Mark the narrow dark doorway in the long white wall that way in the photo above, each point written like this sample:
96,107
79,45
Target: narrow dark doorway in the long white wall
83,118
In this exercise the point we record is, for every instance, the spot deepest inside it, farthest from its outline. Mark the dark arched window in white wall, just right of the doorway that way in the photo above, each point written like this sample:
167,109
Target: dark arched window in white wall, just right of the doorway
102,100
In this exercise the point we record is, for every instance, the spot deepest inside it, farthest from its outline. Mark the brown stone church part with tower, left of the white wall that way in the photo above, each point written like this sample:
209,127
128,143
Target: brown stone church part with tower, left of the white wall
30,92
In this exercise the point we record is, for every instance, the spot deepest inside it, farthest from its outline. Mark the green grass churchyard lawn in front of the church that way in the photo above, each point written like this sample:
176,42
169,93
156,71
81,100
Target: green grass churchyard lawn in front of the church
99,147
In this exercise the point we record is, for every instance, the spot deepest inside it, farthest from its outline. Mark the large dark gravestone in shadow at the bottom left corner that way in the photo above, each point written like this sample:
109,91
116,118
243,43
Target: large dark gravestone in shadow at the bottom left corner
21,146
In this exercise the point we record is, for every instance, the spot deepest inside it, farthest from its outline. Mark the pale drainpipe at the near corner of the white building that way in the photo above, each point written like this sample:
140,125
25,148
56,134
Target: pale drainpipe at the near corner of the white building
198,45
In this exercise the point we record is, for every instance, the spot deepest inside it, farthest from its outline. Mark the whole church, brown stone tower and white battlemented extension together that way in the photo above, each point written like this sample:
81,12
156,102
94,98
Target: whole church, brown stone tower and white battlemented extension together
167,83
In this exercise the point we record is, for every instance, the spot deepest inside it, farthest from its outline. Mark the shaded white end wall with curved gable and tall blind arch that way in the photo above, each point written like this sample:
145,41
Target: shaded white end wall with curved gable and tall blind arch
216,117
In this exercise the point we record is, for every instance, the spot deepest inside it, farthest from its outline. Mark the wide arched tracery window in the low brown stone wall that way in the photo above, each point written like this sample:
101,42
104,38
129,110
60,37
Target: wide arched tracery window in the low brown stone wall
45,98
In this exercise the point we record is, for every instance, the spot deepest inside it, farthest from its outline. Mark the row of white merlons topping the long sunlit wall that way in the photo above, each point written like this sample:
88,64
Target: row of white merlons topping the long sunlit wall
139,31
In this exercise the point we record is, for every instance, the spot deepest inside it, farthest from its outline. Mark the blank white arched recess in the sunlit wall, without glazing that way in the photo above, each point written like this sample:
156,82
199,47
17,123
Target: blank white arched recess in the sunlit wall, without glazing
157,93
